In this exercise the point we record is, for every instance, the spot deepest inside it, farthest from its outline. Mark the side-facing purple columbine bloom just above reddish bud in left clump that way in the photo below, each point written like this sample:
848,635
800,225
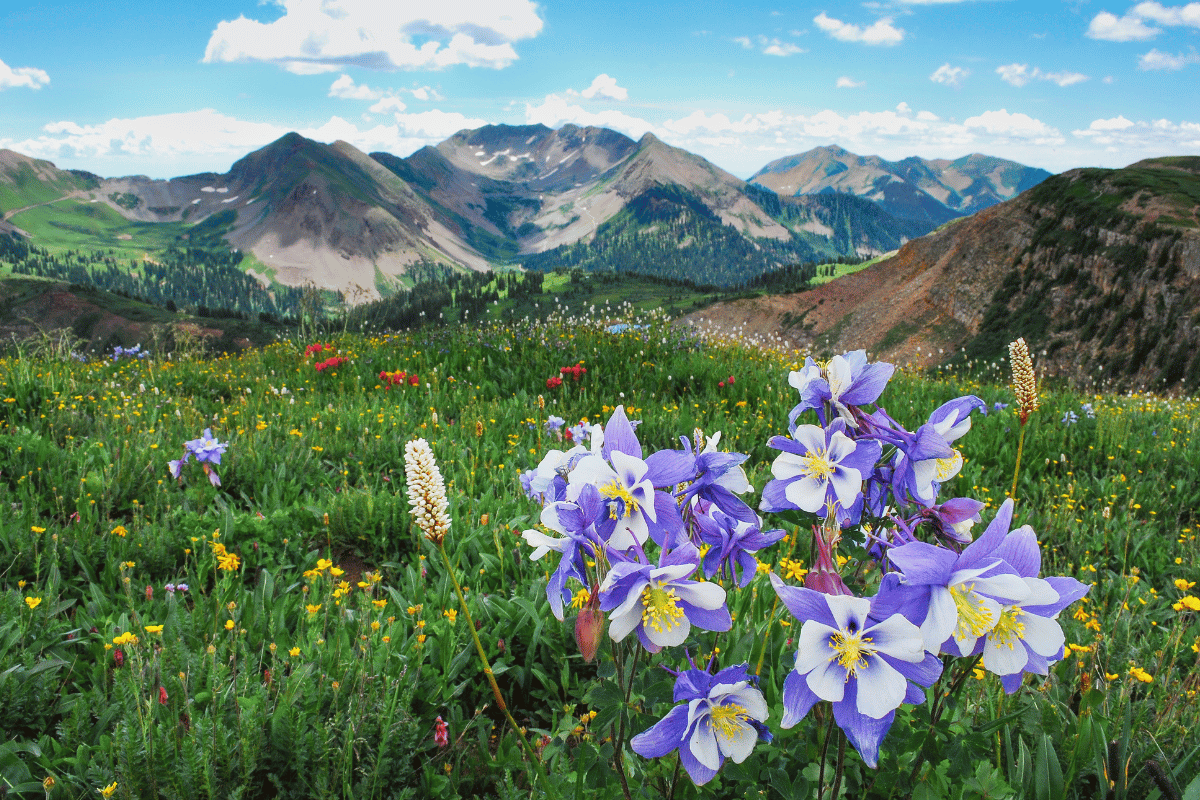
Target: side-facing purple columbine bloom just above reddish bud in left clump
577,524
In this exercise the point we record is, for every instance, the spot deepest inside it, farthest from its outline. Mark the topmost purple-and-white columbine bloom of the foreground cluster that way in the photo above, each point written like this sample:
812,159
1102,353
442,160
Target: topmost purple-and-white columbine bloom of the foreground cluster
844,382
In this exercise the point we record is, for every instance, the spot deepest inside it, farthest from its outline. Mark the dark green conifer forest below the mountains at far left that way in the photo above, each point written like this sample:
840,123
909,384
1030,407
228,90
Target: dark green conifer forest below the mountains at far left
181,278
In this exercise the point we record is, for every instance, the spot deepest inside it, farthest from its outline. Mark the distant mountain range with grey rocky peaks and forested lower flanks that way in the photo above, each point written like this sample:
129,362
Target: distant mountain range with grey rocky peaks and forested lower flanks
529,196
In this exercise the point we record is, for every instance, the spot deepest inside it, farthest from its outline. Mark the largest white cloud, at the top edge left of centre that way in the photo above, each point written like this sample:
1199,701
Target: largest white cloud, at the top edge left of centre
315,37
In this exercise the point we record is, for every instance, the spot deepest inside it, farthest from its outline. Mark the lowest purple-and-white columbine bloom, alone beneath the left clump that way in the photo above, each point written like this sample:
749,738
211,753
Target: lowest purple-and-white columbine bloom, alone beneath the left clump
723,718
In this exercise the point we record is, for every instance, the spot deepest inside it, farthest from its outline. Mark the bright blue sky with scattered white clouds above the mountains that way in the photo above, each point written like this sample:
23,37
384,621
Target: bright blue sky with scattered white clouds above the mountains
167,89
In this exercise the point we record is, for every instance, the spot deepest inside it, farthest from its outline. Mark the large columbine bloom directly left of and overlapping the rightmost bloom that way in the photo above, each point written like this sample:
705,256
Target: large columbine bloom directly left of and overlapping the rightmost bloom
955,598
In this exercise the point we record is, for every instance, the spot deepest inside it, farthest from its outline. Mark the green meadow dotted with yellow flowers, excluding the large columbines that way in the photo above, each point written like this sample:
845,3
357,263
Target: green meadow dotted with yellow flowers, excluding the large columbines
272,622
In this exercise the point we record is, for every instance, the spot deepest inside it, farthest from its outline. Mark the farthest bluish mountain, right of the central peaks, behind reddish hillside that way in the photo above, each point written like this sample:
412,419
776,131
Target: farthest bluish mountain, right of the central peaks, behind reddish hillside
914,189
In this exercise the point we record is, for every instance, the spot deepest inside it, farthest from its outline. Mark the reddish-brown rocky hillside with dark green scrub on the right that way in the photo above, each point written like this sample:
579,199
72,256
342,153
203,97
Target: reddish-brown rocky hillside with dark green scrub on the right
1096,268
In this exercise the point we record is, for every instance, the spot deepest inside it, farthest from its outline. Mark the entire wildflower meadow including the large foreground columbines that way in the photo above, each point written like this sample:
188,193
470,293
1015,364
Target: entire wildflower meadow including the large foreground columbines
217,580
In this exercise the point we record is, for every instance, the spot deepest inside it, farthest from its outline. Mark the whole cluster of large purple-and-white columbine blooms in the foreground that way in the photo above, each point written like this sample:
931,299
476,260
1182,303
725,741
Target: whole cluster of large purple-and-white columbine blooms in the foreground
638,531
